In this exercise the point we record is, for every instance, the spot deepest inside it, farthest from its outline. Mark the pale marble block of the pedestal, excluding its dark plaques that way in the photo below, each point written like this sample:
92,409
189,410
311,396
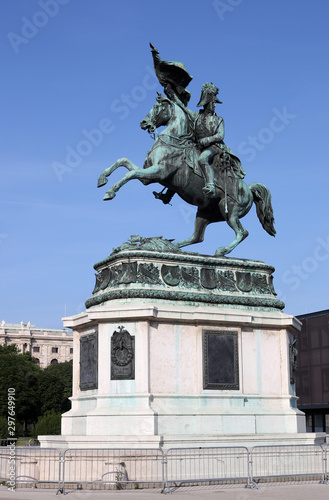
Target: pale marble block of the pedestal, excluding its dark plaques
167,395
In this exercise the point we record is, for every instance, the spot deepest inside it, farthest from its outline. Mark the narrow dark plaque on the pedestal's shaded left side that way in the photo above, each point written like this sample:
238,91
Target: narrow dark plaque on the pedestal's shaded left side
89,362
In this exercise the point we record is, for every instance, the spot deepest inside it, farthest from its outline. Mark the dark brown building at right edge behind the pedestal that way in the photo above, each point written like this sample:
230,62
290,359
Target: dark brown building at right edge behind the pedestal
312,375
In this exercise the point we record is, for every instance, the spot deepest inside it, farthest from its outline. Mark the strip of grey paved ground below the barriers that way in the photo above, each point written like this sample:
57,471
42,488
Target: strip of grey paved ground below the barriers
299,491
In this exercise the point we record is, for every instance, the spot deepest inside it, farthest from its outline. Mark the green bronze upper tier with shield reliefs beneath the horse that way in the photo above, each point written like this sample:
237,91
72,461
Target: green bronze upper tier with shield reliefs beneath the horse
152,269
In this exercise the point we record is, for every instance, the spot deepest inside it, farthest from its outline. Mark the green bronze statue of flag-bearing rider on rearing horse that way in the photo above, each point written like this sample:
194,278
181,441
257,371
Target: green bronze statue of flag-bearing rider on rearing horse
189,158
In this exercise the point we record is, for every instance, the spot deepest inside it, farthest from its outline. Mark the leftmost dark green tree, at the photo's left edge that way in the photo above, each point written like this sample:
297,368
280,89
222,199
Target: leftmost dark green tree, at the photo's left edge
18,371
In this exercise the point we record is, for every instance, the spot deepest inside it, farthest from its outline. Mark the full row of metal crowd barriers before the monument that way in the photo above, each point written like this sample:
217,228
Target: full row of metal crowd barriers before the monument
138,468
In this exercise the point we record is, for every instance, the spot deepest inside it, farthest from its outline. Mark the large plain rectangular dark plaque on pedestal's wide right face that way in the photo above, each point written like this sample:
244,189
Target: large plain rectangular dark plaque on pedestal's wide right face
220,360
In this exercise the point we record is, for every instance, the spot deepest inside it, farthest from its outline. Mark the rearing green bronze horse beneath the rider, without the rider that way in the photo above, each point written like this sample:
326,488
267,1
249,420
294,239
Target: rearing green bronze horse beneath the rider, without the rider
165,165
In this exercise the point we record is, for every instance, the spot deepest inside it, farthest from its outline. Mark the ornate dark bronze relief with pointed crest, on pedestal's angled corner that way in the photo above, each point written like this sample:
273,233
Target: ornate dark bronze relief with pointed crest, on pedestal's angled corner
122,355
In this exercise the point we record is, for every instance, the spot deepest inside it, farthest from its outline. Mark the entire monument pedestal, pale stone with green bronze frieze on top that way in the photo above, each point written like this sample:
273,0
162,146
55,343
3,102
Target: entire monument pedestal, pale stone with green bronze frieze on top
181,348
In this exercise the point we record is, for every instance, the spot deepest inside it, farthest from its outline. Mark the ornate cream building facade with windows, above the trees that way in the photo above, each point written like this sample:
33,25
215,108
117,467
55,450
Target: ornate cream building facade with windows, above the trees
47,346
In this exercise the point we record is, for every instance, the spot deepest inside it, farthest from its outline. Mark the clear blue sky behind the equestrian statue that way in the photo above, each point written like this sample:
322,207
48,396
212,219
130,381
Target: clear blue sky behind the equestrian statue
77,71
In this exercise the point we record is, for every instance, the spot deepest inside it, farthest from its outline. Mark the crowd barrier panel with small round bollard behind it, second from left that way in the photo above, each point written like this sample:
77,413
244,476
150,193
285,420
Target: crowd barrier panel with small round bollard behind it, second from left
116,467
